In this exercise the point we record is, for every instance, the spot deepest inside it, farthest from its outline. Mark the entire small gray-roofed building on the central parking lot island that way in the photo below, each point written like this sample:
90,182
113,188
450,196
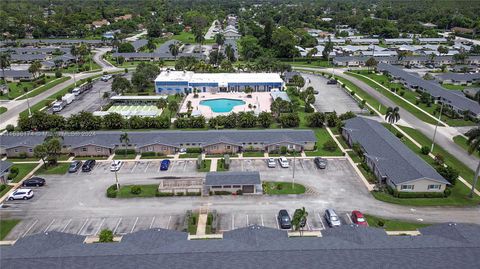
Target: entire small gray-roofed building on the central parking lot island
246,182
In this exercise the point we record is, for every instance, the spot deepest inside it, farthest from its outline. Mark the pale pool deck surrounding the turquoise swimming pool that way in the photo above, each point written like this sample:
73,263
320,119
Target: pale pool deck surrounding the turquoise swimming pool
261,100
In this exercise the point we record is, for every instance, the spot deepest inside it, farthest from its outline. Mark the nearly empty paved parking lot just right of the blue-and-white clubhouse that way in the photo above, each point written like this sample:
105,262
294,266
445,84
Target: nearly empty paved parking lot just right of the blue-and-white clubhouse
330,97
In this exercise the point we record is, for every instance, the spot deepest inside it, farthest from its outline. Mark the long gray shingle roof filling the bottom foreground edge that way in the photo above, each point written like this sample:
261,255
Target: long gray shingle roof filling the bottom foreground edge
439,246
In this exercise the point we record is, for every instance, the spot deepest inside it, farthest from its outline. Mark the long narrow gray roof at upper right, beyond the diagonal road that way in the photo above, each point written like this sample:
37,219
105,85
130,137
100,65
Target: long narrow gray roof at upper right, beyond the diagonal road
434,89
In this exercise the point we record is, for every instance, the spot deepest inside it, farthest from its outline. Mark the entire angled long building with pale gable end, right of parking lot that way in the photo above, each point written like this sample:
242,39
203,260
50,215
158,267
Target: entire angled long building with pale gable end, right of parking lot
391,161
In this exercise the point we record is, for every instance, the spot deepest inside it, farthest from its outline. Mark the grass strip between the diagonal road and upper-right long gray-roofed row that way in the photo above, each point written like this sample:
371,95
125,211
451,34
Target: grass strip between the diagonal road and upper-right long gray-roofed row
397,100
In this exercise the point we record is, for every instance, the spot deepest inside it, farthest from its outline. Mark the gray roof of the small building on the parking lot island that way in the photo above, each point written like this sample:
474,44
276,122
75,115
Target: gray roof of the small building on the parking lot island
232,178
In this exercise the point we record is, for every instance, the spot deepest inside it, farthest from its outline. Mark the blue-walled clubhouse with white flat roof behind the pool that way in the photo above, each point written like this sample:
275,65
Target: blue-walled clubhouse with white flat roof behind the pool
171,82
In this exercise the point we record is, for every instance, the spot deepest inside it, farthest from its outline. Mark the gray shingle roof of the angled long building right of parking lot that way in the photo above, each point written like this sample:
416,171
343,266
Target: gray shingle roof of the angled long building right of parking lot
392,158
